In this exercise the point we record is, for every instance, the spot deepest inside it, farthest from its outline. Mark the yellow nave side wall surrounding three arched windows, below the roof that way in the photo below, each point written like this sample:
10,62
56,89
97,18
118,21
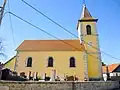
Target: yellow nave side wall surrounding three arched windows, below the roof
61,63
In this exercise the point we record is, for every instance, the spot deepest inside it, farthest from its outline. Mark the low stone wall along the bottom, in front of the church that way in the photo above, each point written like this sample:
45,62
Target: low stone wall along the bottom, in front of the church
95,85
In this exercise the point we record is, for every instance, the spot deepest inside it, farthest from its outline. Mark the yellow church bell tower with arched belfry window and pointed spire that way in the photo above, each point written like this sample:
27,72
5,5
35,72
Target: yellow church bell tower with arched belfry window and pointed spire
87,33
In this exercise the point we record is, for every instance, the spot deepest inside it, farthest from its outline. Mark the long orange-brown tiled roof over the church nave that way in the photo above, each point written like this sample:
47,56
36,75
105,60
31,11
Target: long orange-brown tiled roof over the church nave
51,45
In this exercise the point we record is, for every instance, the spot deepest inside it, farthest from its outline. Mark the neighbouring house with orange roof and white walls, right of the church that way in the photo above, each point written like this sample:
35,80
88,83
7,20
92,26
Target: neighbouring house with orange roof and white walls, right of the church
112,70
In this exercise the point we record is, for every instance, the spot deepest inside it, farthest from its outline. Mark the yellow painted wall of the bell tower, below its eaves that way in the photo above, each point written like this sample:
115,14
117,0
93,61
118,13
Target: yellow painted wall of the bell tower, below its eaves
94,62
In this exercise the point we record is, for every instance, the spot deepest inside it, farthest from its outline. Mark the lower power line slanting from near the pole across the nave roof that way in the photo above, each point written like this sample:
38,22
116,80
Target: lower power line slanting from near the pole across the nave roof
46,32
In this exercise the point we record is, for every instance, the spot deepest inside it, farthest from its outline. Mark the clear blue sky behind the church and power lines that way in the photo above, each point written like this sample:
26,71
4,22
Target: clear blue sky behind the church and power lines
66,13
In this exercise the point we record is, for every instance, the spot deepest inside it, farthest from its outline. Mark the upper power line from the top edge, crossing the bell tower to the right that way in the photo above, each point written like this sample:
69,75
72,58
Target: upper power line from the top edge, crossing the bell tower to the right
66,29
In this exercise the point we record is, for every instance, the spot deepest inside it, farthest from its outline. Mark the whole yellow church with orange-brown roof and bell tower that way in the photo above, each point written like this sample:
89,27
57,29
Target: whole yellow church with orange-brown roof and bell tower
79,57
